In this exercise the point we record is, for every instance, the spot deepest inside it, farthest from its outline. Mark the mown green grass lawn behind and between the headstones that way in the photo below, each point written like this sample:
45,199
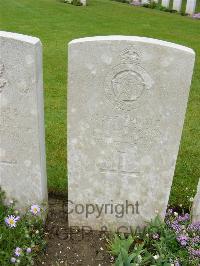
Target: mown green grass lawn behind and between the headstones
56,23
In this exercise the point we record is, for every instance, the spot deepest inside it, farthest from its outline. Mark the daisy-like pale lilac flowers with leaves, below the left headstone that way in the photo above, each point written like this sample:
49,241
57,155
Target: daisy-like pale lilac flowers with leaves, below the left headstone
21,236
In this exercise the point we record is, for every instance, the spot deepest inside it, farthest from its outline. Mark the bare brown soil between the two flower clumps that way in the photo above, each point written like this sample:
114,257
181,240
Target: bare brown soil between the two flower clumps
69,246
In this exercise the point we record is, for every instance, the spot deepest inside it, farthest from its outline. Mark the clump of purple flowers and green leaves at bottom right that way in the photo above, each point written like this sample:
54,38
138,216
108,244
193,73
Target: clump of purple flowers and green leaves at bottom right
174,242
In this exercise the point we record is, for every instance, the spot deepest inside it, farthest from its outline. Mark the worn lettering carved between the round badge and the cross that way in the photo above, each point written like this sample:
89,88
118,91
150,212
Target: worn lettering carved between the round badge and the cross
126,129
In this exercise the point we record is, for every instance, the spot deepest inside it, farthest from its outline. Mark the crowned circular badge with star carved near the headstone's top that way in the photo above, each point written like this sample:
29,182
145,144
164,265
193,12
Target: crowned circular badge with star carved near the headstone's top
127,82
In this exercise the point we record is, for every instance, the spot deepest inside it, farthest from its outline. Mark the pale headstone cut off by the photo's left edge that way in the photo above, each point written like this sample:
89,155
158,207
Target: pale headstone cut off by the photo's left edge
22,142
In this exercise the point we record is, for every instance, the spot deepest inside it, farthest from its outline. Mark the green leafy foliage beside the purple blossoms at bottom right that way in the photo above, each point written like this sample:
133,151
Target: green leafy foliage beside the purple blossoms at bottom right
156,245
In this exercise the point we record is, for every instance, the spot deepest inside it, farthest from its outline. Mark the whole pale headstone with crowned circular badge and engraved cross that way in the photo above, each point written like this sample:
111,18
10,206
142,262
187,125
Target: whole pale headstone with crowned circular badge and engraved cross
126,108
